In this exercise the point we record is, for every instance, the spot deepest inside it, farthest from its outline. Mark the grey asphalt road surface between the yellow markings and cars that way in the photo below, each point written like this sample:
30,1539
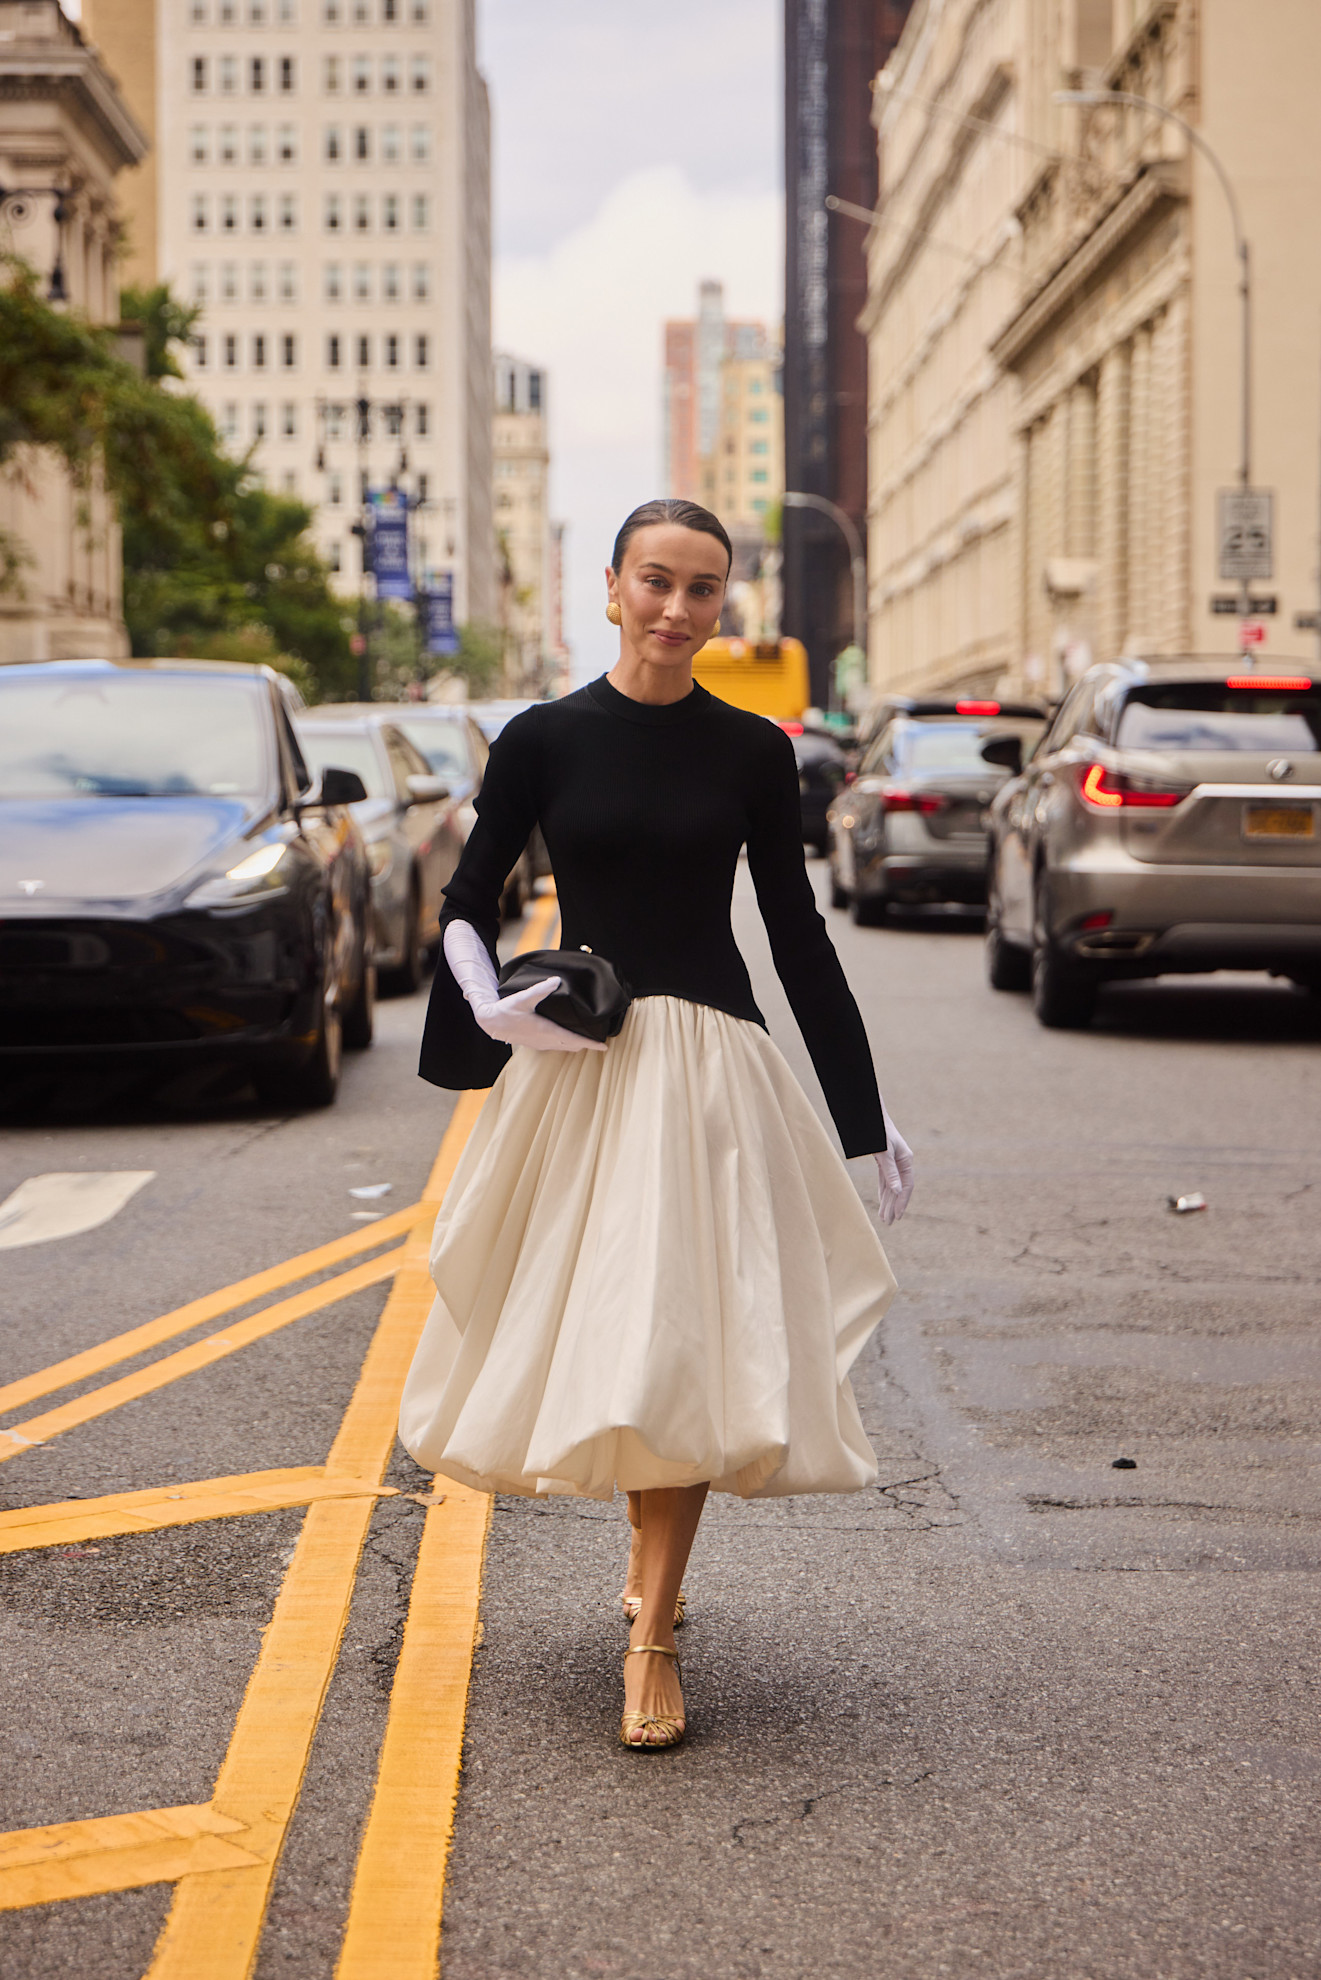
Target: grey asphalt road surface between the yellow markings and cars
1013,1714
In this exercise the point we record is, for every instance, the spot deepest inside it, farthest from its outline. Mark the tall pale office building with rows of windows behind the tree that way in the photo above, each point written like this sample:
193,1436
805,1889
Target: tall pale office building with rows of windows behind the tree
320,189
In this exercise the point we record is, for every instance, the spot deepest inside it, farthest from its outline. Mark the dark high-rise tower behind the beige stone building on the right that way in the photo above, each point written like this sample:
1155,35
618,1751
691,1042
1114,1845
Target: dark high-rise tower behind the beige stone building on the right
833,52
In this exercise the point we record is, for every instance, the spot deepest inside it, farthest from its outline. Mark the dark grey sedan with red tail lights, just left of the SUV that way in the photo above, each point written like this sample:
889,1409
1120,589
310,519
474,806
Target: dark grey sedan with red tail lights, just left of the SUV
912,827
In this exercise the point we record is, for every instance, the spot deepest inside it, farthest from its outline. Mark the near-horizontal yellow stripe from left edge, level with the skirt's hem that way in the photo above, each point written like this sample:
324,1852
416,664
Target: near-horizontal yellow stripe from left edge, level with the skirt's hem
175,1506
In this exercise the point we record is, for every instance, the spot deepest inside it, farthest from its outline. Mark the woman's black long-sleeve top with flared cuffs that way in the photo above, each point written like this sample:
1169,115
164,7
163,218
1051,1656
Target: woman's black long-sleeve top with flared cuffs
645,815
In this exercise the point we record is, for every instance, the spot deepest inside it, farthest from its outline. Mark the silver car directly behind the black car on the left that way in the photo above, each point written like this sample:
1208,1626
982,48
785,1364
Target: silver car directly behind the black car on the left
409,821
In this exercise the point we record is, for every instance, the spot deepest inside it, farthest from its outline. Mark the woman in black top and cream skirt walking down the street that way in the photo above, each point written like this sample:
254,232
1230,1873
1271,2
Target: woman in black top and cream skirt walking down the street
653,1268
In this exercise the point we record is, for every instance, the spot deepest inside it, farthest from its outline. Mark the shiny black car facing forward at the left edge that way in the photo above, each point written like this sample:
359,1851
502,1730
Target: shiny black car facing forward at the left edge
173,878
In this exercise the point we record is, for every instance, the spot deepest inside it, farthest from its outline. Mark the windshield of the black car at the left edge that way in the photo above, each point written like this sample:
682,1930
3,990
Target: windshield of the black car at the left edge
132,736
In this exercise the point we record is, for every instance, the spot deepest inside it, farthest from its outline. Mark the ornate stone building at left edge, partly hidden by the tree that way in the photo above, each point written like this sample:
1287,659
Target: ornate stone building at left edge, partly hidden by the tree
64,136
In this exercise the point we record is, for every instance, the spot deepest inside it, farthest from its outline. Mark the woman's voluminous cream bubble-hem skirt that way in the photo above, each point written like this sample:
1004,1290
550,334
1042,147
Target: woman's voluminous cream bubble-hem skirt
653,1268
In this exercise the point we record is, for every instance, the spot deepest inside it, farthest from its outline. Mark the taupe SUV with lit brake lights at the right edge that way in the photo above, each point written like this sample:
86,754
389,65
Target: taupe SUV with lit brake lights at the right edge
1168,823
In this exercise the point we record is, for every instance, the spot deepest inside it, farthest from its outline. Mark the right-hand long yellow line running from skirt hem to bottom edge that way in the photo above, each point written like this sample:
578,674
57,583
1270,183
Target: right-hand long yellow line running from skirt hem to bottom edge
397,1896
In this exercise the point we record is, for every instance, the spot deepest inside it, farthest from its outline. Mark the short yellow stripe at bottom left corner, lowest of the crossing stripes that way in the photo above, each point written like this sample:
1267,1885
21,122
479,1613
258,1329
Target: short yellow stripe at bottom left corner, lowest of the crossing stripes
114,1854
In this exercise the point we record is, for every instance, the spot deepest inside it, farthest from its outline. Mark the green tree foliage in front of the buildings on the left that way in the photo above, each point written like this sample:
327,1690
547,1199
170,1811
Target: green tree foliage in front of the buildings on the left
209,551
